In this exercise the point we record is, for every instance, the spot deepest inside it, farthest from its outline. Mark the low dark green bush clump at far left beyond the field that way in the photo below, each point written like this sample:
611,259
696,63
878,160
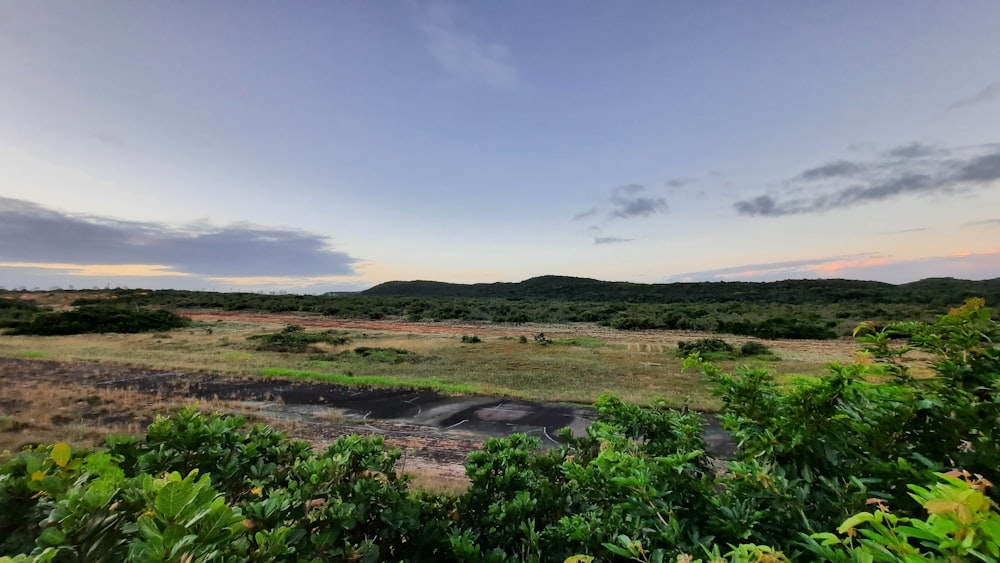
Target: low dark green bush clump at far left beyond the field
101,318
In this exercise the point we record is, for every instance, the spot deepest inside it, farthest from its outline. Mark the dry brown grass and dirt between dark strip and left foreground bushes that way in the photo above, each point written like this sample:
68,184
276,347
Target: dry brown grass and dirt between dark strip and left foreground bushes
111,399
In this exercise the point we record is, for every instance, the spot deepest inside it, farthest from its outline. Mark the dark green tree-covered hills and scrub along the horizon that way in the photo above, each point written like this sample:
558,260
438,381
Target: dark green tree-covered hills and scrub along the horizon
813,309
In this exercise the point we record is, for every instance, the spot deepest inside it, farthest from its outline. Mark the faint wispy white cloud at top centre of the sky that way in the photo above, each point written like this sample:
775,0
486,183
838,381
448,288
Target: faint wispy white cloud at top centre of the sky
463,54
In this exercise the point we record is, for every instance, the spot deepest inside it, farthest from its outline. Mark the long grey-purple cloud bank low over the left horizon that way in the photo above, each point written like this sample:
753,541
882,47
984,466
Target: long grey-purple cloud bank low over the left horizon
32,234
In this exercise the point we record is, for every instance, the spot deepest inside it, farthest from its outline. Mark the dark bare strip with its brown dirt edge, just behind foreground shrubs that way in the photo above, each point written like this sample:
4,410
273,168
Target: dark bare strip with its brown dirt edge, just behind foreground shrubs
435,431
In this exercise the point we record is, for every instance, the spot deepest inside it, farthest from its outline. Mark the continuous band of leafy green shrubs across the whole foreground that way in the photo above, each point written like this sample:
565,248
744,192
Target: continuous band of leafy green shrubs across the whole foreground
871,463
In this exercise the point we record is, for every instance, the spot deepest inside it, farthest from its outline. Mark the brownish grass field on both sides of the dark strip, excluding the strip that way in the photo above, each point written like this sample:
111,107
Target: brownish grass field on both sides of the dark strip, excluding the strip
50,394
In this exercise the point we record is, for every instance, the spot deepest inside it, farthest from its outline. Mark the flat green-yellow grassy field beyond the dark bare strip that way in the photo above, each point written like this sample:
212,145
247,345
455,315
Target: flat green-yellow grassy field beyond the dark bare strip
573,368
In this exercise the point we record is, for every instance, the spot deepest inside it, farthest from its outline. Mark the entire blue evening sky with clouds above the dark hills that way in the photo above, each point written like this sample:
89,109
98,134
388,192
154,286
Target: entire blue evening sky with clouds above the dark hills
316,146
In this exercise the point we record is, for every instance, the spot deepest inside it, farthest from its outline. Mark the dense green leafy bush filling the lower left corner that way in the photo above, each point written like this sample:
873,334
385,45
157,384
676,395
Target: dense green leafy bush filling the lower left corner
252,495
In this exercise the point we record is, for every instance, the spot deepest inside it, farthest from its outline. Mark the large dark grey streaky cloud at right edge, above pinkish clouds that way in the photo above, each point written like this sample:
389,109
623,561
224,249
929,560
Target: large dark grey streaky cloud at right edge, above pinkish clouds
907,170
